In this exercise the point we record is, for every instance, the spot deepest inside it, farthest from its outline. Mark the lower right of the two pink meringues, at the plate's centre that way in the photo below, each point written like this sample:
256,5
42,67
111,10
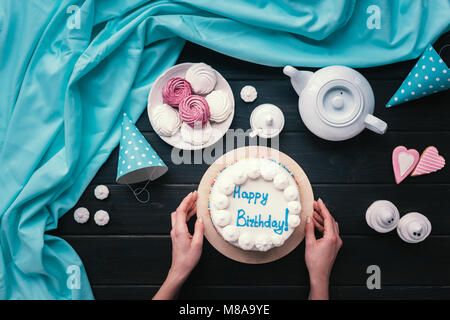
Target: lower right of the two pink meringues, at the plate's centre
194,111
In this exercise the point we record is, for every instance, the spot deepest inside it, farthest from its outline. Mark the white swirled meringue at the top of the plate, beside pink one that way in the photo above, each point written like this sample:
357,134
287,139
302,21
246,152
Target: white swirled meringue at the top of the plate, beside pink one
202,78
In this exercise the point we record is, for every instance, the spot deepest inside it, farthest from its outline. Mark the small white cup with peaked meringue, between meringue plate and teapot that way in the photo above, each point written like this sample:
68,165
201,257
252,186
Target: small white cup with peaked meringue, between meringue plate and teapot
267,120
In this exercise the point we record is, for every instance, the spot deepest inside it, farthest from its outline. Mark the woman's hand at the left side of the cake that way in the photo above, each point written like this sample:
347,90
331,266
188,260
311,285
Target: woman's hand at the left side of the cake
186,248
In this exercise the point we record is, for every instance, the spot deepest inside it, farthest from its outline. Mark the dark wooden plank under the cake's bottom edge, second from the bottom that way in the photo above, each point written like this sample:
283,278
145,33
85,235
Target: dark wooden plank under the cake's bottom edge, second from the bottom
145,260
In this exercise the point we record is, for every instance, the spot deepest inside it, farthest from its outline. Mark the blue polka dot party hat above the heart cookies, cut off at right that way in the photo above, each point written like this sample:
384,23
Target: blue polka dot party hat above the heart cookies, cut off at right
429,75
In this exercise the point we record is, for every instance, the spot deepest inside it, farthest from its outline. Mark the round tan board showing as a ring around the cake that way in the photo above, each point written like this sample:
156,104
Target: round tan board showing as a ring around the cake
229,250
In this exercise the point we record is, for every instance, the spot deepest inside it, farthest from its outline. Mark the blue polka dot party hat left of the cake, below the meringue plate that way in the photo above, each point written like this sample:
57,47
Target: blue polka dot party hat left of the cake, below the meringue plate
137,160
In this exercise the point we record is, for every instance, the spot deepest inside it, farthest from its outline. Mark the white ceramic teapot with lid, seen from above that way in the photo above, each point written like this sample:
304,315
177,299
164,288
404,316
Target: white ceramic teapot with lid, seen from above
335,103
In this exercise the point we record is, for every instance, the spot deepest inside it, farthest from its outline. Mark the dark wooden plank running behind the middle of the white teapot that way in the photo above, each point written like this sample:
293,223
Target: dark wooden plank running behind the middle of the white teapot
407,117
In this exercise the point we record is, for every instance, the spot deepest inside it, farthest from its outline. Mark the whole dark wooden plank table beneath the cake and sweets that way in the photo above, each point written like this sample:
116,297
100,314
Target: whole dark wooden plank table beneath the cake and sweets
129,258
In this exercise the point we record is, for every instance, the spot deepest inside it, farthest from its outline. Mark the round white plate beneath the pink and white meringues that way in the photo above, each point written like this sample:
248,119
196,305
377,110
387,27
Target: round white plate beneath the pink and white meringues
155,98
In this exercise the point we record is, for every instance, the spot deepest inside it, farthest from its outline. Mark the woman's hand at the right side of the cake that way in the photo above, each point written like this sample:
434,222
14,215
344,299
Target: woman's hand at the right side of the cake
321,253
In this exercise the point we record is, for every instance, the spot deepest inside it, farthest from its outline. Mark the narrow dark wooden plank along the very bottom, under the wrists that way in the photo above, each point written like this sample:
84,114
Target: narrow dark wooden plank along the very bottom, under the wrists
274,292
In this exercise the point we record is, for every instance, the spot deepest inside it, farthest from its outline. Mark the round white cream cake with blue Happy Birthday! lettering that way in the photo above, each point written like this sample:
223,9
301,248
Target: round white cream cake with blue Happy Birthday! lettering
254,204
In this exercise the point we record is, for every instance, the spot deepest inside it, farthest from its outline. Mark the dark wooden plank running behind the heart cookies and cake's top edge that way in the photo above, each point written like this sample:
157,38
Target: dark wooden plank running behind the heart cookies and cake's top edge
363,159
